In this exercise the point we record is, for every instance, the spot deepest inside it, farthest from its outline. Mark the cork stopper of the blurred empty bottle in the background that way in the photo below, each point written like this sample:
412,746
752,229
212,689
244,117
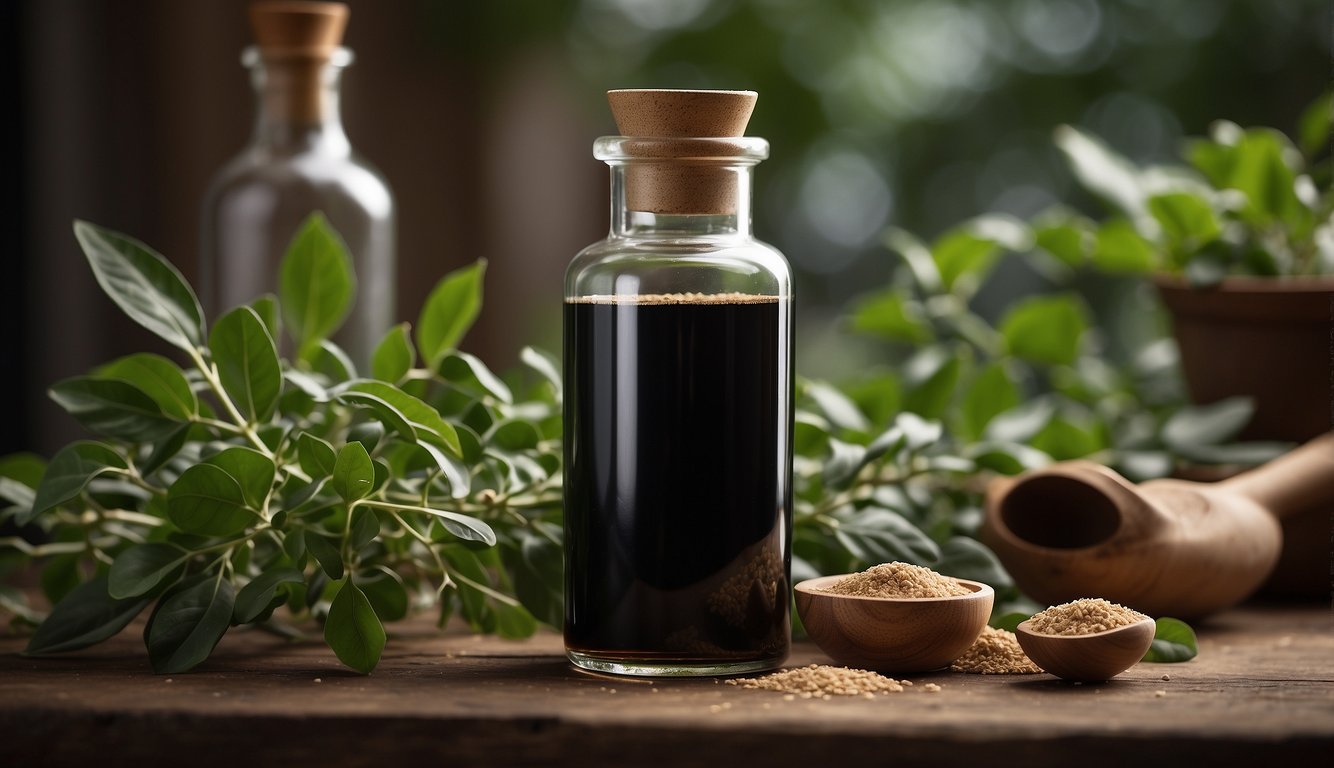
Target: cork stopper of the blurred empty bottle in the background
297,42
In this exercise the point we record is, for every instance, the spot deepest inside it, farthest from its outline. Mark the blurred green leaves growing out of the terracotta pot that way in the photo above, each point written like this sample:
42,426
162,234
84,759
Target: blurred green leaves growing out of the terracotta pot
1249,202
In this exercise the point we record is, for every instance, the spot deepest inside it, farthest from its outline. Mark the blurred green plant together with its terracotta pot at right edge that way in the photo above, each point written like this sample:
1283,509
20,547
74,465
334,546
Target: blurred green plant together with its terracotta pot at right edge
1240,245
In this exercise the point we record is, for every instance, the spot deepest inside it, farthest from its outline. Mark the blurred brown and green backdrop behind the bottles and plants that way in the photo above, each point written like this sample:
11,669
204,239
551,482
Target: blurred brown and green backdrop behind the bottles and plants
914,114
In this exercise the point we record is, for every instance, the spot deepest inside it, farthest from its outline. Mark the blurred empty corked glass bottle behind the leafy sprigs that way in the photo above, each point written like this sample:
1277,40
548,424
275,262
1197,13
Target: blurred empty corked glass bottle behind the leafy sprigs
299,161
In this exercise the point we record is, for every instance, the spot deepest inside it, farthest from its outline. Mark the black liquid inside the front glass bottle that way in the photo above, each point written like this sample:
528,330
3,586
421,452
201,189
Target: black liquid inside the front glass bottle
678,465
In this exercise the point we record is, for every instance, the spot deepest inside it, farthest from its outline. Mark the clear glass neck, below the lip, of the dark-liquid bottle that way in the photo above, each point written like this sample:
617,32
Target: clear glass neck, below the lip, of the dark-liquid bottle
720,205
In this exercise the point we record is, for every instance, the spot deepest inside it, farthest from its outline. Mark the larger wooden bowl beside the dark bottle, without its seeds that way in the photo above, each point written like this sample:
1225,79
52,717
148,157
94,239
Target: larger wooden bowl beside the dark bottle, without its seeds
893,634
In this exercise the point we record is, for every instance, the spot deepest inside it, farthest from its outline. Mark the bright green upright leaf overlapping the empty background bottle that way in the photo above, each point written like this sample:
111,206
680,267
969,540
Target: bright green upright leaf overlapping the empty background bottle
315,285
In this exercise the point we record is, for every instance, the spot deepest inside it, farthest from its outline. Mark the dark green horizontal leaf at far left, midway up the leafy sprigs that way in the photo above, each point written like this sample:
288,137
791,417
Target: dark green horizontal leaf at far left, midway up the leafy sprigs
113,409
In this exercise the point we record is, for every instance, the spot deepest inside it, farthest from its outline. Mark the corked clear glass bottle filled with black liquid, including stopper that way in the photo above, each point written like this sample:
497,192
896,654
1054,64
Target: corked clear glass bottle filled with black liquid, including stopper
678,353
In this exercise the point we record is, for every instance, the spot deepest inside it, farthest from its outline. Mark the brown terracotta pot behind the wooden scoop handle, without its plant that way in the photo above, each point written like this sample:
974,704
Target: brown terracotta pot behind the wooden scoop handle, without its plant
1272,341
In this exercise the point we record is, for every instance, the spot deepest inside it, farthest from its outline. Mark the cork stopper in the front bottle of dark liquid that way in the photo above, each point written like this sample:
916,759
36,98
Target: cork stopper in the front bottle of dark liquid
690,175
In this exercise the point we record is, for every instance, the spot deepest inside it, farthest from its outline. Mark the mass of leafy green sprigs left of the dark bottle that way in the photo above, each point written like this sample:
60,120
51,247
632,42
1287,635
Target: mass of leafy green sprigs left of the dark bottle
242,483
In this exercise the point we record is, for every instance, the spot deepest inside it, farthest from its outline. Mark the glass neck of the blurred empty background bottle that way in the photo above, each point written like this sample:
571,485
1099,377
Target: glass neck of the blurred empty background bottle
298,103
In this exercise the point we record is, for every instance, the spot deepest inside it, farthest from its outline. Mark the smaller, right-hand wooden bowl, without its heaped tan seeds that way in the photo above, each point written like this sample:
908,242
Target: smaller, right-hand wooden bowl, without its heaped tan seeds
1088,658
